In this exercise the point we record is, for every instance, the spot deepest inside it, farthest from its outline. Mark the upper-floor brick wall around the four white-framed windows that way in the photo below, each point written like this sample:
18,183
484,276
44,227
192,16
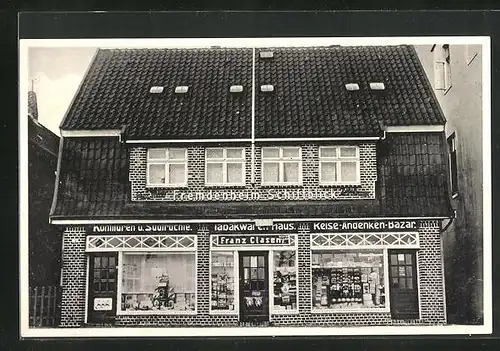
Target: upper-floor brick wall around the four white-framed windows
310,175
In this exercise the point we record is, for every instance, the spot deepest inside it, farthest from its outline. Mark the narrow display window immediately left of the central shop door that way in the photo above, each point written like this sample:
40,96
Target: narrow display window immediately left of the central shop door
223,287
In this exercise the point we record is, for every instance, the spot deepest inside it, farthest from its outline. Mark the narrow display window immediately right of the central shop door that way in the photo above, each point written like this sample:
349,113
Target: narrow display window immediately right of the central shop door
285,282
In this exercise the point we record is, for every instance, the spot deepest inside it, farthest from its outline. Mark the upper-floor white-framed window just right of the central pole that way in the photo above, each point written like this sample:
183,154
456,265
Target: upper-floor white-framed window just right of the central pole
281,165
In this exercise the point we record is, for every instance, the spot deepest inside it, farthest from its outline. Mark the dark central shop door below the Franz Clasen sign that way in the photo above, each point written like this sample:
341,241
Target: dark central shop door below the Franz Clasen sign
254,286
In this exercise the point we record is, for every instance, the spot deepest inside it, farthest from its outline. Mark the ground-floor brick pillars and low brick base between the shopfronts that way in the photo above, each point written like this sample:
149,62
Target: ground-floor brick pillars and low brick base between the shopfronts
432,302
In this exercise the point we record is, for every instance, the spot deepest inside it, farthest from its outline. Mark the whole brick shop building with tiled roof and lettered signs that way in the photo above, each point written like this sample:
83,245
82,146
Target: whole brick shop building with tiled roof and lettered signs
253,186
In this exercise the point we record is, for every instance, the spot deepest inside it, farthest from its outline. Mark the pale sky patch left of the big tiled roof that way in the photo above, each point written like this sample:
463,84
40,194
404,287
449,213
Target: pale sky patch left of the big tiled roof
57,74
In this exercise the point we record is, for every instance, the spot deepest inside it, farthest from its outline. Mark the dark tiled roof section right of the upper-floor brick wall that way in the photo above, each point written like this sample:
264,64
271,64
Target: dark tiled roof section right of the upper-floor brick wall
413,174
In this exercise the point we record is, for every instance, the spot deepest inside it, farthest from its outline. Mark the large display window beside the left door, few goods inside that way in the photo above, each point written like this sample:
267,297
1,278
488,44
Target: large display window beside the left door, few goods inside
158,282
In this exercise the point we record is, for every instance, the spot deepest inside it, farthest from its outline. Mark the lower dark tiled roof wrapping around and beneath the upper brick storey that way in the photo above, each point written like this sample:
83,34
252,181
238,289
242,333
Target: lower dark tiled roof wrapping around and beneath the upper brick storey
94,185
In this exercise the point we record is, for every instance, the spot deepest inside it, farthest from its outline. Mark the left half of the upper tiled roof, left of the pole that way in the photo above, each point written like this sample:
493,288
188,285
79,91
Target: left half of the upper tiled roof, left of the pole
115,93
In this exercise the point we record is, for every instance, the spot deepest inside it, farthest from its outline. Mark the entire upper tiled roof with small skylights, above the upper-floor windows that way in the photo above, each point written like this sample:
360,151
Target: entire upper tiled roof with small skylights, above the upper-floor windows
309,98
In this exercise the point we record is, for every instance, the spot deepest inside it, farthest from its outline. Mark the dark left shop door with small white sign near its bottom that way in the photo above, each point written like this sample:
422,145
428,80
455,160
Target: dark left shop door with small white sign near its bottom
102,288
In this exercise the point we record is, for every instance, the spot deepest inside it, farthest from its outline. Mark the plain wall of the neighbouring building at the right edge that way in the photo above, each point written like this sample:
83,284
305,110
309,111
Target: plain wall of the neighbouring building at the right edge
461,103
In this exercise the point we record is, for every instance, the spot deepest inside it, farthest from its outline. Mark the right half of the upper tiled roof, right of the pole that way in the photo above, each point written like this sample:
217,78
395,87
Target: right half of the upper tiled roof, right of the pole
311,100
